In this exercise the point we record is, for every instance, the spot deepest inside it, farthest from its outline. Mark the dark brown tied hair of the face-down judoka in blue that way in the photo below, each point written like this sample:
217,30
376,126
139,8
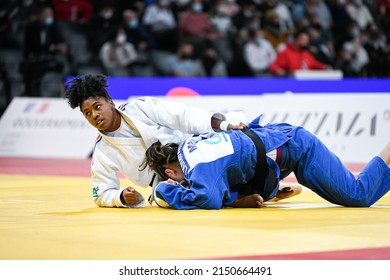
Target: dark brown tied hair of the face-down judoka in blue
157,156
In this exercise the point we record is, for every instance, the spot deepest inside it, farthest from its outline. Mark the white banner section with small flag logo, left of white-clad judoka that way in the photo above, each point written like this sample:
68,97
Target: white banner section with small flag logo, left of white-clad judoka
45,128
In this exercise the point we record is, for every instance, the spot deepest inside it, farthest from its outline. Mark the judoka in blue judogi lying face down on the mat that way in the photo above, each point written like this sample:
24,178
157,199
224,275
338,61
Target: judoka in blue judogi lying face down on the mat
212,172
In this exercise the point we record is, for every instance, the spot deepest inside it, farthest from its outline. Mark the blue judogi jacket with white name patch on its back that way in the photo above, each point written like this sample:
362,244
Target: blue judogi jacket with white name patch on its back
213,165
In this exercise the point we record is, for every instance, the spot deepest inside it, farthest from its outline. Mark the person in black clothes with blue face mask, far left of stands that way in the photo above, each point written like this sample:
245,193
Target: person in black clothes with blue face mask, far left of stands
44,51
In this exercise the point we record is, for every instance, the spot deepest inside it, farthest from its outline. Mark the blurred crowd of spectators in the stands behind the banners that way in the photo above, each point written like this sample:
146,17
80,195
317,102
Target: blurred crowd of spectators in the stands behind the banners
191,38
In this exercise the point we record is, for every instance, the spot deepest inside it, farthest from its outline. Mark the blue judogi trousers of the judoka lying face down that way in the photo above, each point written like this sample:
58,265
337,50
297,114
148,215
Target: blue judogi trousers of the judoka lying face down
317,168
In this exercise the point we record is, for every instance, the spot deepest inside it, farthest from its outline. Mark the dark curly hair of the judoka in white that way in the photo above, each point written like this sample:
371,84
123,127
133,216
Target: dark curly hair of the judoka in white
82,88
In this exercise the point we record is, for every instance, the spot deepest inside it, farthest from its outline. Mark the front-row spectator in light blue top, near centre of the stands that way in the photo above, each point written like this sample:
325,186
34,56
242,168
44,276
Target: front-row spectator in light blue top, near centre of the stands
183,64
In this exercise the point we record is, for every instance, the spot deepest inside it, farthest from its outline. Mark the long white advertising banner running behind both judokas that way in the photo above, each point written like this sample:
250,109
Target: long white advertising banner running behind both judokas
354,126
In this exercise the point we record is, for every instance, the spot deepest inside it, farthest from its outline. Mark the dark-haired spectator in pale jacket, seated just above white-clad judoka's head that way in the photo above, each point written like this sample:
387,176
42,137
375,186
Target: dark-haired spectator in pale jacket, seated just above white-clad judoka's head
117,54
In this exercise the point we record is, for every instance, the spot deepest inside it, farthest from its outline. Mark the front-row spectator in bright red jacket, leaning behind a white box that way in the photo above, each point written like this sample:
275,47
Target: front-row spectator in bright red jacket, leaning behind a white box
295,56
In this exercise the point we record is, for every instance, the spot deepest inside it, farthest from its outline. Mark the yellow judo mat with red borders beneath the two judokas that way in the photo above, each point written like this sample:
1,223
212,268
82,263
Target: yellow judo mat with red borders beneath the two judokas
47,213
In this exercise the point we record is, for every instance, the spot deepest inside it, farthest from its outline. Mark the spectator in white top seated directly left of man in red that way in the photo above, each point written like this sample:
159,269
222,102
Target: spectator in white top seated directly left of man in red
258,53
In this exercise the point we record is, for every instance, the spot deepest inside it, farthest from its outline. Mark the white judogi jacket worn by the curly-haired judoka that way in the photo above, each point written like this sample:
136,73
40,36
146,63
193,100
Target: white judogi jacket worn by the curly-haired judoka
152,119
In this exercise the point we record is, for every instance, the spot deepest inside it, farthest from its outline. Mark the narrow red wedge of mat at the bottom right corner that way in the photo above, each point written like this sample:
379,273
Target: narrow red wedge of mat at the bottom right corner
355,254
